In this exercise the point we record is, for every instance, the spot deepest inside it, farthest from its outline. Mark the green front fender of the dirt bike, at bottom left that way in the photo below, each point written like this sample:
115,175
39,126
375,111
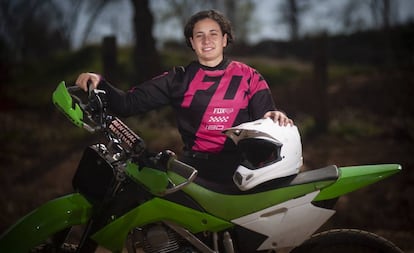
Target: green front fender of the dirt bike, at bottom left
41,223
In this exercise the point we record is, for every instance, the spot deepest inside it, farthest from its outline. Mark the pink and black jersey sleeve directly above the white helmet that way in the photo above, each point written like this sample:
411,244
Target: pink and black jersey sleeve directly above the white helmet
261,99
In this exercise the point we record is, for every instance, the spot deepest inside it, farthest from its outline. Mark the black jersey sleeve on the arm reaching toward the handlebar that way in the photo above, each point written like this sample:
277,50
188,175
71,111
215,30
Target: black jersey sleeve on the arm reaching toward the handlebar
142,98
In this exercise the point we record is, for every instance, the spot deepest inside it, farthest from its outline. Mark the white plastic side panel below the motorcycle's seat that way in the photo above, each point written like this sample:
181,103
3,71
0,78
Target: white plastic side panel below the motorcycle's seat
288,224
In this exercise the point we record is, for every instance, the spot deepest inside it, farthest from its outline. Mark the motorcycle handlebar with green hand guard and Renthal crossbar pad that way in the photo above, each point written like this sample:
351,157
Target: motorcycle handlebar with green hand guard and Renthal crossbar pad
123,142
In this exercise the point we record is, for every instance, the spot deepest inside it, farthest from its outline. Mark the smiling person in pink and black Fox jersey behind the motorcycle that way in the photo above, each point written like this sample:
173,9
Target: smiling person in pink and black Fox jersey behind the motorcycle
208,95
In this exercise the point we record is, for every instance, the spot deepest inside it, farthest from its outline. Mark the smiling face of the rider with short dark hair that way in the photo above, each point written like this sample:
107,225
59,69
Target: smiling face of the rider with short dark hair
208,42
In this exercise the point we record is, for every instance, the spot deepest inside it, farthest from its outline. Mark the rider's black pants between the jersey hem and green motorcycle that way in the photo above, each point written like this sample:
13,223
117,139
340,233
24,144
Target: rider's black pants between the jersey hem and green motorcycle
213,167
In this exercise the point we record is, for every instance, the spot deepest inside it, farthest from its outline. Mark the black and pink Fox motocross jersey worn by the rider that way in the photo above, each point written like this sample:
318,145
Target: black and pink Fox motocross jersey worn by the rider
206,100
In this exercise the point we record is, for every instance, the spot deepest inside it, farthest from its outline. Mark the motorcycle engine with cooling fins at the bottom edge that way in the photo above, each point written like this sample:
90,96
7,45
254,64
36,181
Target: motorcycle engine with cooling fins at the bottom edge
161,239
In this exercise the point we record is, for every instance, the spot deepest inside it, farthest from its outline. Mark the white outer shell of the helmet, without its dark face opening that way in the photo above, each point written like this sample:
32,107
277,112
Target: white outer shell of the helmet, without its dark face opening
291,151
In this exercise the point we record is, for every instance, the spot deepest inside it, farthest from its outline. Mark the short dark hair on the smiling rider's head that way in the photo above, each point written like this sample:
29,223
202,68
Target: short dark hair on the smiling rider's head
224,23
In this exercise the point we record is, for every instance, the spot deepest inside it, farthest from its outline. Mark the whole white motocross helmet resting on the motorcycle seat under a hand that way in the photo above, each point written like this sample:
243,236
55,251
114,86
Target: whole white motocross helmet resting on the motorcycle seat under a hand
268,151
